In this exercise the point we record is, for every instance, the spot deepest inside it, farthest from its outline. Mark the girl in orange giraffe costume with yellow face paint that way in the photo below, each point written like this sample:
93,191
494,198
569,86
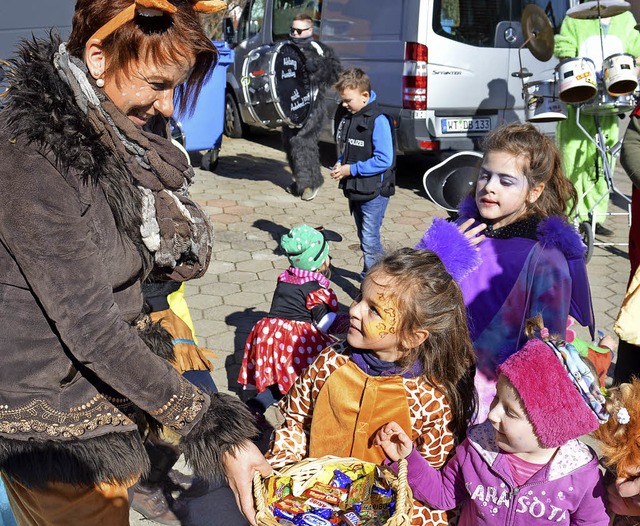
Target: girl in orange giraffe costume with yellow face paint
407,358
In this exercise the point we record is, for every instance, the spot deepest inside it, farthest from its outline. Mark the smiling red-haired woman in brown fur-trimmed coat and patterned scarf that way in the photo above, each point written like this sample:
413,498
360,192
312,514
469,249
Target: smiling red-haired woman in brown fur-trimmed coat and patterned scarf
92,204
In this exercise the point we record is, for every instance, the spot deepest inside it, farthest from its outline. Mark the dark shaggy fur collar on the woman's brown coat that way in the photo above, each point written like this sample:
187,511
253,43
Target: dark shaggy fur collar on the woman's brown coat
40,110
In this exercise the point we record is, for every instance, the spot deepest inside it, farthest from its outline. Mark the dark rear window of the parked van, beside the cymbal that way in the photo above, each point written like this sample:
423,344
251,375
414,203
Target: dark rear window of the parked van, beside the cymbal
481,23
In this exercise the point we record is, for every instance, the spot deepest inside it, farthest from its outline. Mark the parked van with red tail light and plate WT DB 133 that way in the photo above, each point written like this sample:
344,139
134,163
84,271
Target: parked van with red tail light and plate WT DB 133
443,69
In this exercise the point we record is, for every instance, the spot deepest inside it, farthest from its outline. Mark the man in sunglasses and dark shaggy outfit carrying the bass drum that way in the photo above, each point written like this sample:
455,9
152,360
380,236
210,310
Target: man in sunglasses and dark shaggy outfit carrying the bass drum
301,144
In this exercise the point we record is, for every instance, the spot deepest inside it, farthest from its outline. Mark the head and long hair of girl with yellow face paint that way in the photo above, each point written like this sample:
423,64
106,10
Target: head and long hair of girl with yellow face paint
410,320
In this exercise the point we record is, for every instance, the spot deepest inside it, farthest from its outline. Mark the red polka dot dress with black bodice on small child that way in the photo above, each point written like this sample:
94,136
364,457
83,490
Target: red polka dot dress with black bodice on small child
282,345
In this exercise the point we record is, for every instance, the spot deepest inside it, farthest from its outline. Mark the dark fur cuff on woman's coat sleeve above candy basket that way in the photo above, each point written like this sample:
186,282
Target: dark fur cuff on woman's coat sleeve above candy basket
225,427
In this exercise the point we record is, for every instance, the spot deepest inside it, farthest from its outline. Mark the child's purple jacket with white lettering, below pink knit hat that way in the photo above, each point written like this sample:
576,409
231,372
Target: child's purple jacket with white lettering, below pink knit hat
569,490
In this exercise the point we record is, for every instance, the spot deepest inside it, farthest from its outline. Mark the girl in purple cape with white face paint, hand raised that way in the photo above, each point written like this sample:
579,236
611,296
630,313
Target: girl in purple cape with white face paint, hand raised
529,259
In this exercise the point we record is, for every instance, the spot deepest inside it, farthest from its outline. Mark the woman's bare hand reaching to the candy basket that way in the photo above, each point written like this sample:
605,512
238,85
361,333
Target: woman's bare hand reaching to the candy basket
239,471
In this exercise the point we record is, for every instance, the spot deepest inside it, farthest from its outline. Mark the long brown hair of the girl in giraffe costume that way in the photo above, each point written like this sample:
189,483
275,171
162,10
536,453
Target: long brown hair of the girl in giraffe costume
429,299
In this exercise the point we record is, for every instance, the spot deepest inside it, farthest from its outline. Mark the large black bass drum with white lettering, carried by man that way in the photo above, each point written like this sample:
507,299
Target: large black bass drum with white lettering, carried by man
276,86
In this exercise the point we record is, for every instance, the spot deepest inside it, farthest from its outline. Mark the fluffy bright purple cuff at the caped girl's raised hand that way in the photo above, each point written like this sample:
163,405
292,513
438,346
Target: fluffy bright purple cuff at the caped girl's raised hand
455,251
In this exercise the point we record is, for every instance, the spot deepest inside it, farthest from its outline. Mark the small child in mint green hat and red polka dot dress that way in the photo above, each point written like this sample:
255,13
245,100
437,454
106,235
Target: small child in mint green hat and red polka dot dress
281,345
